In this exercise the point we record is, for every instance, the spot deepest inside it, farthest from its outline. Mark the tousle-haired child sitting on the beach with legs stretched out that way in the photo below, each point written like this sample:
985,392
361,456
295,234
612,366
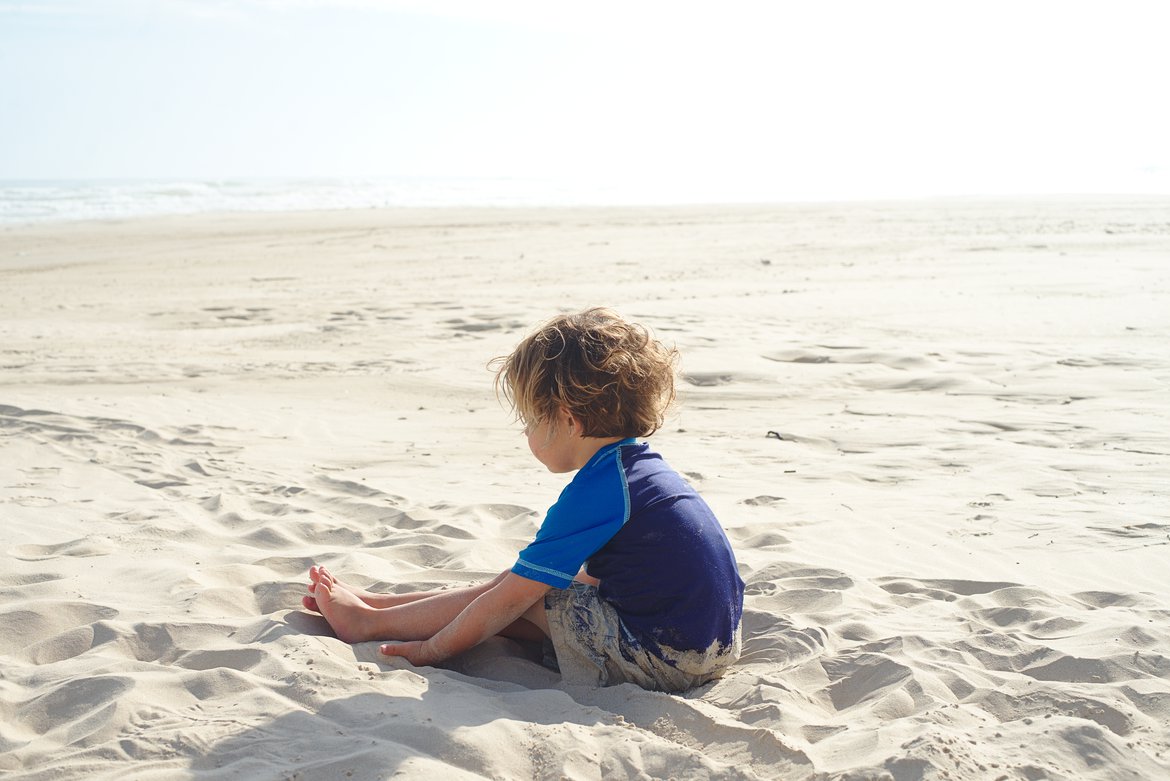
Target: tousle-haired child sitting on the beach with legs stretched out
630,578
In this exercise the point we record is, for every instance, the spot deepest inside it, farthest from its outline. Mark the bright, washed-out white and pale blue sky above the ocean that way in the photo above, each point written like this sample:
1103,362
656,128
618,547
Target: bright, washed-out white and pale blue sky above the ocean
782,99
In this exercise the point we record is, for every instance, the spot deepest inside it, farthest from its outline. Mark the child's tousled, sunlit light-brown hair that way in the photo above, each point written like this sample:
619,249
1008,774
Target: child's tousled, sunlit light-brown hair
610,375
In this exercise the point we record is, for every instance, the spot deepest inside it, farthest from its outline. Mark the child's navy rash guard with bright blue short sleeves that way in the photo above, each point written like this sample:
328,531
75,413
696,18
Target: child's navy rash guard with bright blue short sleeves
664,562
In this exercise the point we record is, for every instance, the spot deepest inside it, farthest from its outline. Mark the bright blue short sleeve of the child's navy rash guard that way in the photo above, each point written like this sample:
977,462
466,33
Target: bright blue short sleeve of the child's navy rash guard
589,513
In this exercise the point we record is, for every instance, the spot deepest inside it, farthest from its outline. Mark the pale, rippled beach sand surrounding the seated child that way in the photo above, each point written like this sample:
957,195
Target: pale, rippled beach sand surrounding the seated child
938,434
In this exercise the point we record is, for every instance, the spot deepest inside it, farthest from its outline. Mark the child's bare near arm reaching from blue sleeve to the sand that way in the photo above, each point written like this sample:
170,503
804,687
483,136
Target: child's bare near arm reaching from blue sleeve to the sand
487,616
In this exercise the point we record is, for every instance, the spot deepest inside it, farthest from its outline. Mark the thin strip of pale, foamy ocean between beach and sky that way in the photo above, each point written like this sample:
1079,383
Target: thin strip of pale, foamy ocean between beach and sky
32,202
